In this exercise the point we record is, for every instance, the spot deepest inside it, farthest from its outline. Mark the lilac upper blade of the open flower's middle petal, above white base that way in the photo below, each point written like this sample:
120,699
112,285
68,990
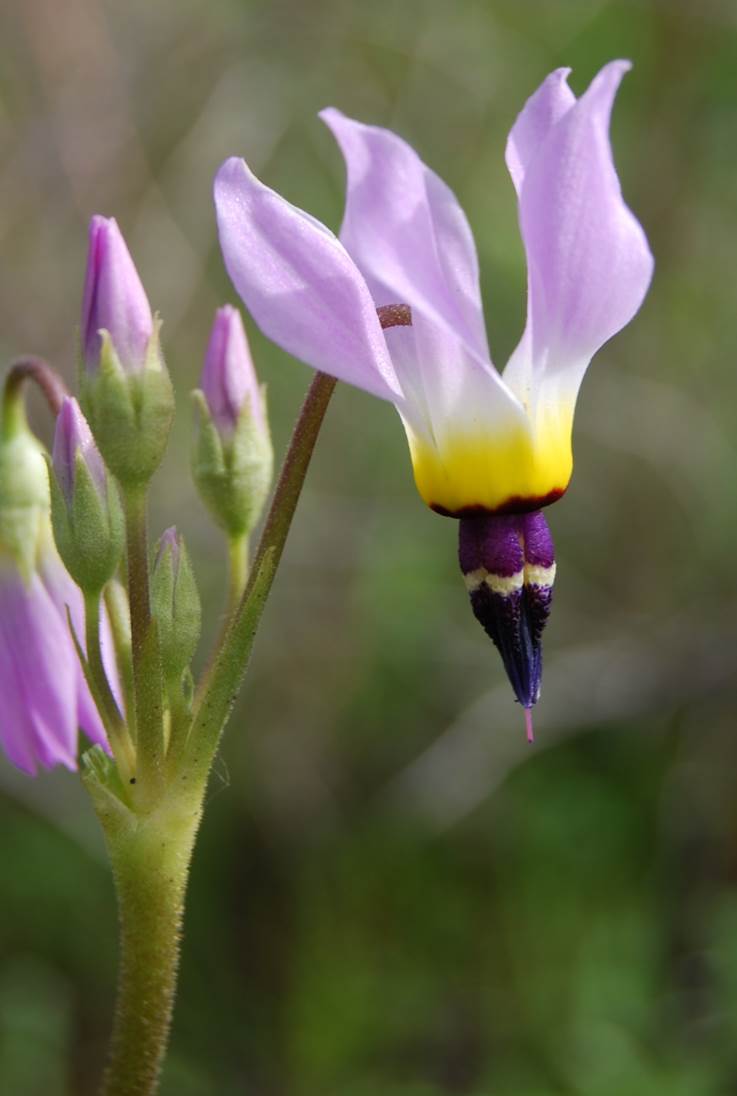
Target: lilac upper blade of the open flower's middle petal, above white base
407,234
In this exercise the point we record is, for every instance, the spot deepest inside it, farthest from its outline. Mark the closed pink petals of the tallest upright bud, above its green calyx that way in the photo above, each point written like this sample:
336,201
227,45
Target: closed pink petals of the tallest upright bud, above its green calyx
115,301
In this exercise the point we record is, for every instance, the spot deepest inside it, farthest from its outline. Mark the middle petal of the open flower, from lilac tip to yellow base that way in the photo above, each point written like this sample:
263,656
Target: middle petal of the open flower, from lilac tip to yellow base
411,239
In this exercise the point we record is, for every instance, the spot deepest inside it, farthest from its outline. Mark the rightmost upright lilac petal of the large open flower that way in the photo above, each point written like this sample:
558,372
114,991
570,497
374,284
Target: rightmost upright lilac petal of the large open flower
589,265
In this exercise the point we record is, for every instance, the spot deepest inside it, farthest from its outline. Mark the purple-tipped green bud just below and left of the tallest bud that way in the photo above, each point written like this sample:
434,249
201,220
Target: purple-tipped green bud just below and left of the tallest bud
86,512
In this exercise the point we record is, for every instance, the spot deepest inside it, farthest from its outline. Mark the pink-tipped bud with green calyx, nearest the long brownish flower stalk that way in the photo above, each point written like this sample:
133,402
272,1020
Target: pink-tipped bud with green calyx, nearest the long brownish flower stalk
233,456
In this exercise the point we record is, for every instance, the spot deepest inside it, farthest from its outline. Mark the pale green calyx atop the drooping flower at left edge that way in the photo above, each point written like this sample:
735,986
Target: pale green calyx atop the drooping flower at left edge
24,498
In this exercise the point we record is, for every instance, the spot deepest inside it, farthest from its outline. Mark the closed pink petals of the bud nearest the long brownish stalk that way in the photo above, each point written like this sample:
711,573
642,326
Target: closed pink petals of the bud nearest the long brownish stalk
229,378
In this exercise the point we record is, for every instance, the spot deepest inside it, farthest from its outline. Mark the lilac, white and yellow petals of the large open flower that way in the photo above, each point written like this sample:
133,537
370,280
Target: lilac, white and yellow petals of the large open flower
482,442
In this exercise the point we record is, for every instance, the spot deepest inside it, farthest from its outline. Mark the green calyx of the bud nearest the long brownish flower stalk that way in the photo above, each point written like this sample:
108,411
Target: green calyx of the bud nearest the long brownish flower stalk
233,475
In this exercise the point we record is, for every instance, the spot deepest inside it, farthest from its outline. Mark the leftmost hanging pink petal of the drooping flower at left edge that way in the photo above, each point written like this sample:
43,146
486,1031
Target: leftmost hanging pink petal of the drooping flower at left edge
38,681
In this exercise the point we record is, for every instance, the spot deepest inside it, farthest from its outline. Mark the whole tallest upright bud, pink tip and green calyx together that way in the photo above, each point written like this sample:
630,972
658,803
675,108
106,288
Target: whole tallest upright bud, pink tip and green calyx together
126,389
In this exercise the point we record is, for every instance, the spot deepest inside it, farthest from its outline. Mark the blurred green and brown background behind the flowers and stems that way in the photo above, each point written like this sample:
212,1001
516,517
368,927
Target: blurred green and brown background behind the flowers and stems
393,896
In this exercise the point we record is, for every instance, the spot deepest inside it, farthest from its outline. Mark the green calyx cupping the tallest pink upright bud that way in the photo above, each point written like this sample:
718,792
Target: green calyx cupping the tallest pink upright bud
130,414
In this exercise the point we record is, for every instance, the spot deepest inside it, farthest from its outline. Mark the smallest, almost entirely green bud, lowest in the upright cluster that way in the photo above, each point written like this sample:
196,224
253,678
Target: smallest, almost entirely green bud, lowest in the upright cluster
175,604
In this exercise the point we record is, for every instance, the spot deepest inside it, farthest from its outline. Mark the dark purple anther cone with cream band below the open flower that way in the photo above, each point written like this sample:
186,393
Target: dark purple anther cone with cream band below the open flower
508,563
